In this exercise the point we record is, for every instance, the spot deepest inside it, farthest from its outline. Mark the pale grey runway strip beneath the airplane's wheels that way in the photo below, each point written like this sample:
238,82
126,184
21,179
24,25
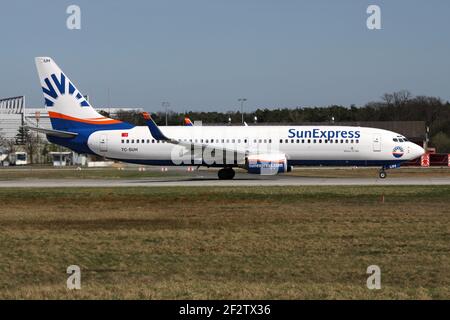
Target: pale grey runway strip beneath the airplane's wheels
211,181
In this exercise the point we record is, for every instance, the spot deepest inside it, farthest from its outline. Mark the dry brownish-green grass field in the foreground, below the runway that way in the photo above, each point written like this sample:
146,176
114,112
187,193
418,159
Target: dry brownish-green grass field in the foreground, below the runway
252,243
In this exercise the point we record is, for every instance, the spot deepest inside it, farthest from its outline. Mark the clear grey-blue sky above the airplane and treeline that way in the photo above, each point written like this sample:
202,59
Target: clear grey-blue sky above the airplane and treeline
204,55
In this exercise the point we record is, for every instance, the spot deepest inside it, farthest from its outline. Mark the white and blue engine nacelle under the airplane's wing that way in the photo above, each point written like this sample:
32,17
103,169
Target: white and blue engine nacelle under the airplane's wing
267,164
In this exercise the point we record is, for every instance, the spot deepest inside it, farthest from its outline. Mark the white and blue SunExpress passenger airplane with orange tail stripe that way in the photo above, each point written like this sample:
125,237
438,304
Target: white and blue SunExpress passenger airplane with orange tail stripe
266,150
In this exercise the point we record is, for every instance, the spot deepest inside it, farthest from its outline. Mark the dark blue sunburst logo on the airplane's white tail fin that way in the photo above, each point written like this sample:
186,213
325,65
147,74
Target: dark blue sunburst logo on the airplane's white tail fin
58,87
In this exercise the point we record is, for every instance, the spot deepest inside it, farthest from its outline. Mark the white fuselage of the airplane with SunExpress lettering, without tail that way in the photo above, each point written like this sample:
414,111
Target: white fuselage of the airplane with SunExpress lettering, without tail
302,145
